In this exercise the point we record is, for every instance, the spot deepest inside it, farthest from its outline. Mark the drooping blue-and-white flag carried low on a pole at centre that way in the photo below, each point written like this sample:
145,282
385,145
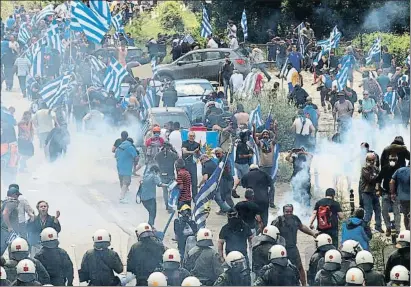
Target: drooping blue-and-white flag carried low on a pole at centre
205,194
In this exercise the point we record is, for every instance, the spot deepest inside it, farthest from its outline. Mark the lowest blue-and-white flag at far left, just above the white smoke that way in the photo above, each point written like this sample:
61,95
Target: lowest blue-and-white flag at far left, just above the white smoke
53,93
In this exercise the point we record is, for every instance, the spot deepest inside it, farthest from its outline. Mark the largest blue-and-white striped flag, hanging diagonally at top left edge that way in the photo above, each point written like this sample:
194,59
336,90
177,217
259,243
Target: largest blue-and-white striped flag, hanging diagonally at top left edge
90,23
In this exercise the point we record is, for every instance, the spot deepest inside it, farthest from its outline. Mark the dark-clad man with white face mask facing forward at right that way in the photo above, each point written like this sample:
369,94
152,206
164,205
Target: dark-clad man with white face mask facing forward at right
384,177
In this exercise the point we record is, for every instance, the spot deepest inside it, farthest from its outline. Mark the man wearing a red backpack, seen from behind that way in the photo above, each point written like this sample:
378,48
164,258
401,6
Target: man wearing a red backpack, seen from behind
328,212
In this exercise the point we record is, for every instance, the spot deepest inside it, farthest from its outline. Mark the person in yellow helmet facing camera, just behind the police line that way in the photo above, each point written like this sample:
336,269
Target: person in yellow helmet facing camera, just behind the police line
184,227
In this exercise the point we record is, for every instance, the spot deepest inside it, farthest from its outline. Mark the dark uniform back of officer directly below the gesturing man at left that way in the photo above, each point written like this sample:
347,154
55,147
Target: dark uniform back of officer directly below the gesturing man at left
58,265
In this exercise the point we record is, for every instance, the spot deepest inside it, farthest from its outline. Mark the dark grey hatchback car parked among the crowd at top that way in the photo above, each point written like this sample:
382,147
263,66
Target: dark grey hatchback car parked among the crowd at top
202,63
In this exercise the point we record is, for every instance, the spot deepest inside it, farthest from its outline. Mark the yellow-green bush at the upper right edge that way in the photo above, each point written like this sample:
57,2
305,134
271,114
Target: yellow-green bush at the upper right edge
397,44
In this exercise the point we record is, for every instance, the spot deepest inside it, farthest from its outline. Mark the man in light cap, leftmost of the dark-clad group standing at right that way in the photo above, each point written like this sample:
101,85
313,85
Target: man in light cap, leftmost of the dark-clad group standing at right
368,180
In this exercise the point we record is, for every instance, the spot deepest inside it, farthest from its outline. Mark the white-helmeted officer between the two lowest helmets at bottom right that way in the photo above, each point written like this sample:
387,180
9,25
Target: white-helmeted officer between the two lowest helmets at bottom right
365,261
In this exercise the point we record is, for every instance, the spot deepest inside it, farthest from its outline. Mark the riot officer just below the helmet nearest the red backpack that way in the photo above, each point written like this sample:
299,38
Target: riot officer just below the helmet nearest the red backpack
330,274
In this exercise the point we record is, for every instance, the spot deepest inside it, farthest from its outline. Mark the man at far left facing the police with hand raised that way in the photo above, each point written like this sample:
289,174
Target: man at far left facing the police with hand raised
40,222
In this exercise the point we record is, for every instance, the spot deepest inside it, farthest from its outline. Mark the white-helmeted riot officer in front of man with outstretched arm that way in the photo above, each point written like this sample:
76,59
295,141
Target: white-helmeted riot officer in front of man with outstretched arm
279,264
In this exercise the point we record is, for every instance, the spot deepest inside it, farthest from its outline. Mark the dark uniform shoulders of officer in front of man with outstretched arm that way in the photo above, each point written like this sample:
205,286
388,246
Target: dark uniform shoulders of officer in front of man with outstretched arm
277,275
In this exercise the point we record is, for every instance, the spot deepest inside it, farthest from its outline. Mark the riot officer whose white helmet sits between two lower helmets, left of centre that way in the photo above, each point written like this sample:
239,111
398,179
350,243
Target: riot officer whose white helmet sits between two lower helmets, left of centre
171,267
